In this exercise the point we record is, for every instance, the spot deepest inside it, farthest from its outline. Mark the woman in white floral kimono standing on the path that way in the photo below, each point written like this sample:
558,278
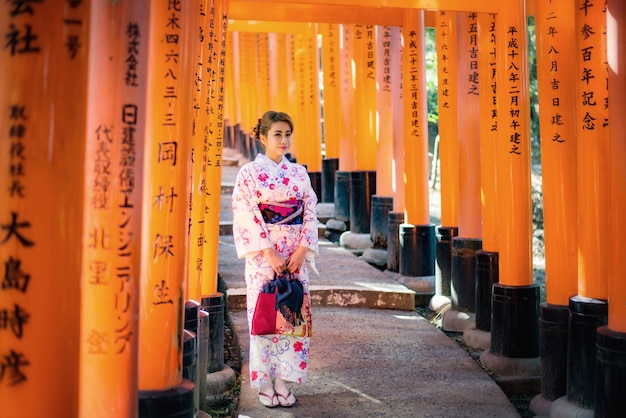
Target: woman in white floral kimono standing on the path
275,229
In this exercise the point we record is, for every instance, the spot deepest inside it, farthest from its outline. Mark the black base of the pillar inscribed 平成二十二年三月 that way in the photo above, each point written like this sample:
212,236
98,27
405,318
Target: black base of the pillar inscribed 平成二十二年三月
417,250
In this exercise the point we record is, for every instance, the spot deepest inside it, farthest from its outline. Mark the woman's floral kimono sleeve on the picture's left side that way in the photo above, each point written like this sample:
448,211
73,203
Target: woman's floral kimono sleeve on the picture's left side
249,230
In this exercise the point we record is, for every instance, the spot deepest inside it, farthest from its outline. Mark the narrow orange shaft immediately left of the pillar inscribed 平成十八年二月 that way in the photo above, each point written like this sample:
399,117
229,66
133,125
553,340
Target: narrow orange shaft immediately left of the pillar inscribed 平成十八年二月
488,124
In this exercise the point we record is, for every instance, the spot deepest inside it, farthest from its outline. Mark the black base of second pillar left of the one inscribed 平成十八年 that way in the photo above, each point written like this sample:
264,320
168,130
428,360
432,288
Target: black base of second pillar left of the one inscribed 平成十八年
463,273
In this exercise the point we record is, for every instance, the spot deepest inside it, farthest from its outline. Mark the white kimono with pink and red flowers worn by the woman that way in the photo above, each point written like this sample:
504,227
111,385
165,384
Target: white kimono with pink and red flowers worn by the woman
263,181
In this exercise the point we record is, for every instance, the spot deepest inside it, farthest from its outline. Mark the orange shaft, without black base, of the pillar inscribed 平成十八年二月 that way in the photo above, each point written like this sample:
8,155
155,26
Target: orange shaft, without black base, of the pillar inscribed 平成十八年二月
513,150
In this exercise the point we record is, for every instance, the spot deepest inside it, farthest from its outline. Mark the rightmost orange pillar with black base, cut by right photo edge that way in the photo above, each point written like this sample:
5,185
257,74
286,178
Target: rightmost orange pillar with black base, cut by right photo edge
611,342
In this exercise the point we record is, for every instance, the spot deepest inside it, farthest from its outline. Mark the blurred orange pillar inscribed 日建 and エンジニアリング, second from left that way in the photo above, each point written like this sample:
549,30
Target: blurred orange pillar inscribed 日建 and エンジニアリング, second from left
112,221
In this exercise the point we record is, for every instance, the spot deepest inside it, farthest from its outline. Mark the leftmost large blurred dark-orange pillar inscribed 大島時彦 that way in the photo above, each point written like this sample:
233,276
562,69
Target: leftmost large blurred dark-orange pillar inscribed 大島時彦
43,97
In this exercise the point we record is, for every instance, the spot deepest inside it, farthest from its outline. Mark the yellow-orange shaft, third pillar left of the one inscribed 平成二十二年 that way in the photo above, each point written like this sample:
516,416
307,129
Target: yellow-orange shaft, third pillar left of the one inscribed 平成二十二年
365,95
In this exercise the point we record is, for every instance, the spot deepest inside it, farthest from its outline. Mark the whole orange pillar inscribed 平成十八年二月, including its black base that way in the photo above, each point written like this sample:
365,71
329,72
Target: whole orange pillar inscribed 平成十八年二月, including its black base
514,332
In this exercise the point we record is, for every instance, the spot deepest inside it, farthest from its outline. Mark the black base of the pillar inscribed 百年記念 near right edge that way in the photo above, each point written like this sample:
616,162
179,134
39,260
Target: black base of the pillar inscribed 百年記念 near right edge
586,315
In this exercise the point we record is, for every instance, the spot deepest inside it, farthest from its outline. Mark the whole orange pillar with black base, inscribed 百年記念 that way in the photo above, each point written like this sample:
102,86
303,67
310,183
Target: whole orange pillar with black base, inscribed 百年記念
588,309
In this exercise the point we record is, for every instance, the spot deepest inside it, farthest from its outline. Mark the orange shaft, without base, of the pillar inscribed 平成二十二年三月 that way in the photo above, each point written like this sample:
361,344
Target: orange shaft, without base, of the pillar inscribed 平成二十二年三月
416,170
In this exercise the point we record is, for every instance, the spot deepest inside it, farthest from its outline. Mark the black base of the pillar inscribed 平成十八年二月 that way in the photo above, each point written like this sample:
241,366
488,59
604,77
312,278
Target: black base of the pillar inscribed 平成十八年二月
515,321
